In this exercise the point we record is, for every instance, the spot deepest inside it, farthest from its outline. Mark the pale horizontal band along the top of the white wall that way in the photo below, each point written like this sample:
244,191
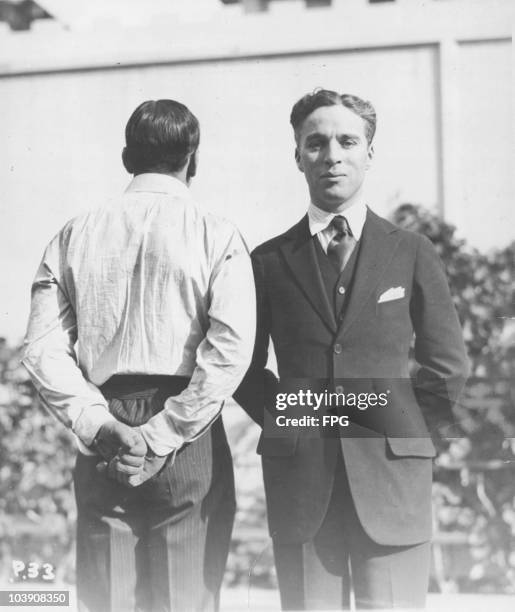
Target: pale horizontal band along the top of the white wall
51,48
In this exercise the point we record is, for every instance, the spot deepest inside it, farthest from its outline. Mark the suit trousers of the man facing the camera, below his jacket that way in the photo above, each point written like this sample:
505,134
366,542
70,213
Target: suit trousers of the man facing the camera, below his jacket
319,574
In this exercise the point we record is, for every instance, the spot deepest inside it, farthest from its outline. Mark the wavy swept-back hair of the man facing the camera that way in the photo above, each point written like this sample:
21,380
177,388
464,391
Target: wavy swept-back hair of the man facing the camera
325,97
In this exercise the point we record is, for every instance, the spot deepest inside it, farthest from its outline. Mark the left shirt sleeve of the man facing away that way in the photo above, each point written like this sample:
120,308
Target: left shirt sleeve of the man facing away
49,355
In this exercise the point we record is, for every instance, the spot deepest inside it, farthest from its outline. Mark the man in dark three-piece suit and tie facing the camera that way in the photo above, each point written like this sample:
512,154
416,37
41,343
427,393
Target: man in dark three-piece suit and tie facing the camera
341,294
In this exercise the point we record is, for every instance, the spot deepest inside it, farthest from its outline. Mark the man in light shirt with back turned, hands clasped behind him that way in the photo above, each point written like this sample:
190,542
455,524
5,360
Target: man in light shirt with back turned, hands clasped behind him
159,296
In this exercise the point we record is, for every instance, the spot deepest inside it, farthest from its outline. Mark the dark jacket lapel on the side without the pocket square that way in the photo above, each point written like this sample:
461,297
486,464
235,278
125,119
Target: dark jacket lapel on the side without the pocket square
299,252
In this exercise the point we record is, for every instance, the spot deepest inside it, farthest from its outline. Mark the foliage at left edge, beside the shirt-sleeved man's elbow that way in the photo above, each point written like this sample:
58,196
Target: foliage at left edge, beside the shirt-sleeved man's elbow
37,509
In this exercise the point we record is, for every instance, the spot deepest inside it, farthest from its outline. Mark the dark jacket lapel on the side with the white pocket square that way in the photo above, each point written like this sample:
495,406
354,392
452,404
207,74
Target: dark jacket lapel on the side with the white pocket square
378,243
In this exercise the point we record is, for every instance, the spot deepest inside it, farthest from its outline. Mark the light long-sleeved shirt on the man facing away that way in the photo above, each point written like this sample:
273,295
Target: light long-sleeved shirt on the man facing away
149,284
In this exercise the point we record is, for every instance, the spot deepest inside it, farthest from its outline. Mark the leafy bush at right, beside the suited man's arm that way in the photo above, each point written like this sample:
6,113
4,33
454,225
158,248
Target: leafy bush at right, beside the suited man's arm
474,492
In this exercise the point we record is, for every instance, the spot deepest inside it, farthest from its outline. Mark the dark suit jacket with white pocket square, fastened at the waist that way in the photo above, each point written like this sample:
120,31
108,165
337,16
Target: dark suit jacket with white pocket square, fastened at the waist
390,472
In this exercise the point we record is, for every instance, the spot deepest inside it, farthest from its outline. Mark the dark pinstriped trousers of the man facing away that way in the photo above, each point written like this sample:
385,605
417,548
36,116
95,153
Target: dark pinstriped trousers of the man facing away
161,546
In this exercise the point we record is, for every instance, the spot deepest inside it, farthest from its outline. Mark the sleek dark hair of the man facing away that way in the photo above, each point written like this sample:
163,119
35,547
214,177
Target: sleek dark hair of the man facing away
160,136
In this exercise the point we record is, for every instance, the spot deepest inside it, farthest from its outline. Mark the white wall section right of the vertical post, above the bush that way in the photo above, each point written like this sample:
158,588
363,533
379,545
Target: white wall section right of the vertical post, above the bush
485,212
